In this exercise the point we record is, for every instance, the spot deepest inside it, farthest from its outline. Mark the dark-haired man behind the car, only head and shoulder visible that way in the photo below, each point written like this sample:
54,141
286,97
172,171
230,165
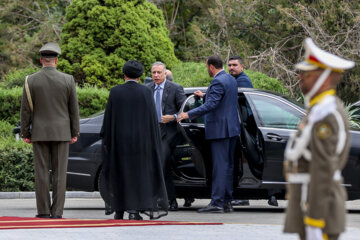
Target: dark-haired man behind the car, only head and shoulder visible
236,69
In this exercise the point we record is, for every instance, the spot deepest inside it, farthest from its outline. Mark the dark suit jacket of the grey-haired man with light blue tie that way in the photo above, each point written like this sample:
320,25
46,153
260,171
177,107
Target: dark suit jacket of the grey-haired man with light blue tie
172,98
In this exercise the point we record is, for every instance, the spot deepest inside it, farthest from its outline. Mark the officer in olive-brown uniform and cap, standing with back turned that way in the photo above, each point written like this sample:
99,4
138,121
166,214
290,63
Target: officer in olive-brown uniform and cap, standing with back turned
50,121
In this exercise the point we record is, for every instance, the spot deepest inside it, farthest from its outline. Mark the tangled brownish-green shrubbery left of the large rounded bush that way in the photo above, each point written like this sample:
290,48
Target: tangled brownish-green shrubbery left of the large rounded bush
25,25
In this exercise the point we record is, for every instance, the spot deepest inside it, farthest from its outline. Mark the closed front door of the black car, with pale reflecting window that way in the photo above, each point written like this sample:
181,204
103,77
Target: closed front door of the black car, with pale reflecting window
277,118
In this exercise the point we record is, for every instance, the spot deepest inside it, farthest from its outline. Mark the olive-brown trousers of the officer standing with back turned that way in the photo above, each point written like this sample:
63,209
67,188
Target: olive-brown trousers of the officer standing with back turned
50,156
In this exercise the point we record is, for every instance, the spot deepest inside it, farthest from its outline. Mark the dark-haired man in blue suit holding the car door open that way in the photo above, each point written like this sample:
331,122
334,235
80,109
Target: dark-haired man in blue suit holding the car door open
221,129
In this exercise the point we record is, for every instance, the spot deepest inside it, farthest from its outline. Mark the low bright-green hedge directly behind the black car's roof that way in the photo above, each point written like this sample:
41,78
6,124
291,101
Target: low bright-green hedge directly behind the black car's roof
193,74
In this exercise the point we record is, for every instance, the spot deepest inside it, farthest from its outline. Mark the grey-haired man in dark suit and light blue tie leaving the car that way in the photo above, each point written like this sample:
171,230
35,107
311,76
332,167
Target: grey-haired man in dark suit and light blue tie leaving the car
168,97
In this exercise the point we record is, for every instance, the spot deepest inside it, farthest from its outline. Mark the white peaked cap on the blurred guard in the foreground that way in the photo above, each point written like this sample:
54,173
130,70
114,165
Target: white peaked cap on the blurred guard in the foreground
317,58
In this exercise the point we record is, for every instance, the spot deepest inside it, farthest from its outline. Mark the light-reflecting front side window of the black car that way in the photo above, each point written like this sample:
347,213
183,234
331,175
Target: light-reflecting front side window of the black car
275,113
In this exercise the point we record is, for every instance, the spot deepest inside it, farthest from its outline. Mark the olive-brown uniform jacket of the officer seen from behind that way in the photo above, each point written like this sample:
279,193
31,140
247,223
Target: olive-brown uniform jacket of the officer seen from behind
56,113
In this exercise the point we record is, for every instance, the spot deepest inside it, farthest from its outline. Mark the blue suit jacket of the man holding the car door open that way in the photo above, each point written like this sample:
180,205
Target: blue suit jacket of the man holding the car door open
220,108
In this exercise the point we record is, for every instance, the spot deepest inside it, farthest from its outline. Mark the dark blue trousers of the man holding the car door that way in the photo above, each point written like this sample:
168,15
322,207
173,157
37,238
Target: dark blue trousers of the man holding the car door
222,151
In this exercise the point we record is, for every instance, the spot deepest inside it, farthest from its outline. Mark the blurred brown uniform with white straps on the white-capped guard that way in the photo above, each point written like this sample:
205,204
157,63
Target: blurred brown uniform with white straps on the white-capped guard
316,196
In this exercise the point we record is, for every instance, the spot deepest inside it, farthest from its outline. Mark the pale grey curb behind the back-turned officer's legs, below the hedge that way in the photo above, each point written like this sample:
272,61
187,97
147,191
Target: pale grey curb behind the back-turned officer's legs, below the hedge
69,194
